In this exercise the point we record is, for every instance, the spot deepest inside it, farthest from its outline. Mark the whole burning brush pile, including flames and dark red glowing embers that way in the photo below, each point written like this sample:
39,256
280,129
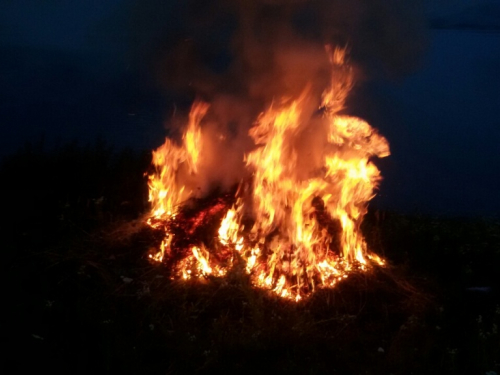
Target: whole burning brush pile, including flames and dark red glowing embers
293,222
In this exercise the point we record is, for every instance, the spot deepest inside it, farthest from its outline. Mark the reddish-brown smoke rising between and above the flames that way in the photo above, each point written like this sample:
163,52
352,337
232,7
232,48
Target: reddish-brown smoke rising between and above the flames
241,55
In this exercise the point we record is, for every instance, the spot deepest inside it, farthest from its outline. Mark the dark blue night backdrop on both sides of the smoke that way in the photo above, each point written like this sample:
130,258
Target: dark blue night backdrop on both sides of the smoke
66,72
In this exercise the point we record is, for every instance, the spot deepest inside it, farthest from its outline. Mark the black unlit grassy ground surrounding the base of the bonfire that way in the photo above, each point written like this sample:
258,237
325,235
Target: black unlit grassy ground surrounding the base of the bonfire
82,298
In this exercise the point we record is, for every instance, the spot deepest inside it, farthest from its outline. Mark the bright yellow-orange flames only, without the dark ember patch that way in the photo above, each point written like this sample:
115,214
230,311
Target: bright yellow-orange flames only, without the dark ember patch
293,246
